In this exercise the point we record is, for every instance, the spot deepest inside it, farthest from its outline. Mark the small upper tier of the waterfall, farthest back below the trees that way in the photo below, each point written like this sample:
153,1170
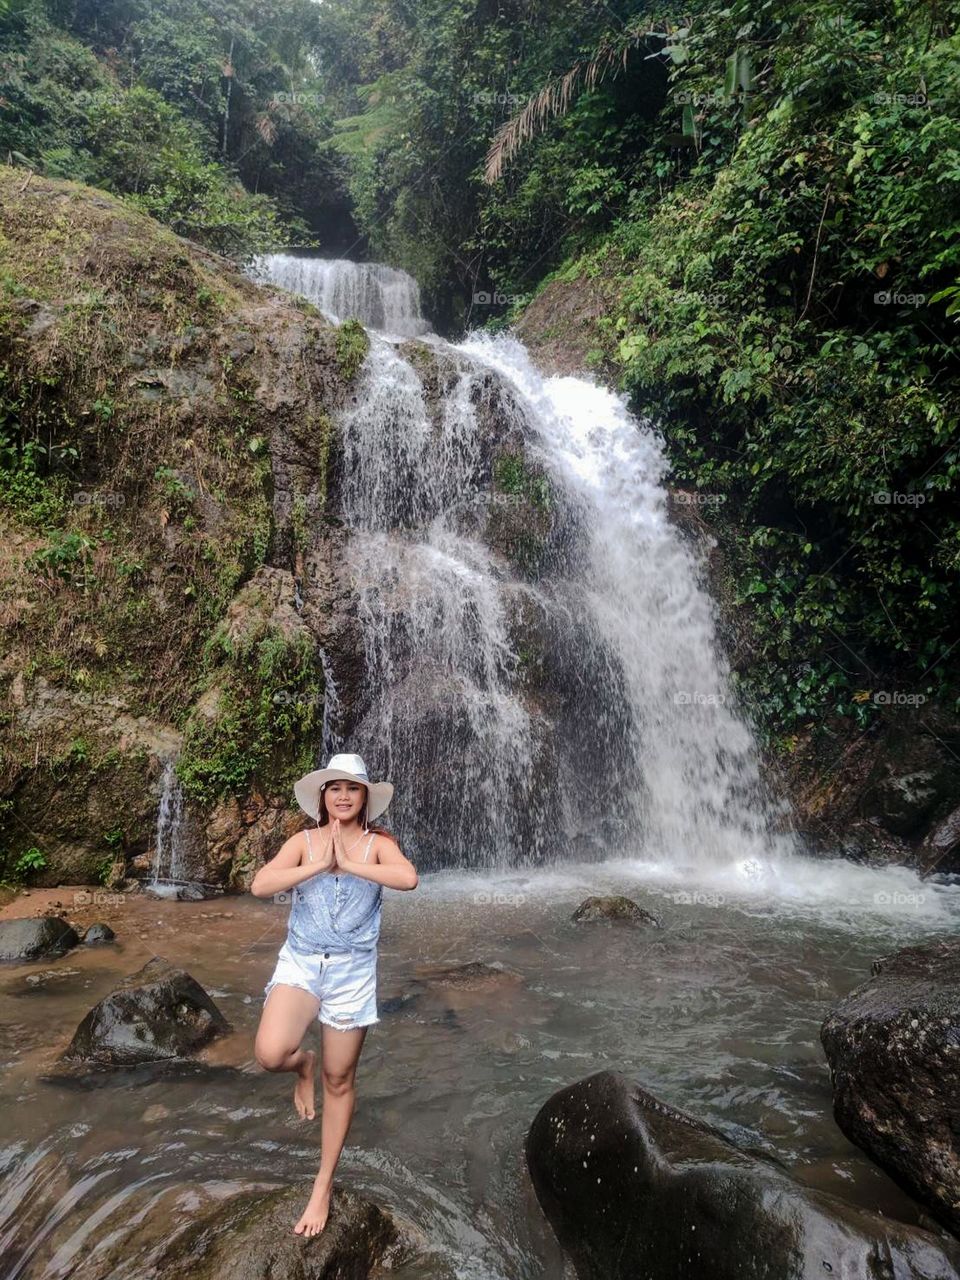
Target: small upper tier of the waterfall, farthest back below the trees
380,296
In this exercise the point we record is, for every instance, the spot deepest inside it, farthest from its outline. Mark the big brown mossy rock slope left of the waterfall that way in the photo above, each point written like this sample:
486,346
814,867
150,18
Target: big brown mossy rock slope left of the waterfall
166,446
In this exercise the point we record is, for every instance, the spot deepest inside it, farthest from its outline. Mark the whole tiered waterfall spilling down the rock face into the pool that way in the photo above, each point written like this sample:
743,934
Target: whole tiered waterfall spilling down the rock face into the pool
542,678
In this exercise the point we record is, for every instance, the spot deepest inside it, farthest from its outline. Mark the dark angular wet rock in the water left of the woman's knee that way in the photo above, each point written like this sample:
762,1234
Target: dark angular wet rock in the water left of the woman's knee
157,1014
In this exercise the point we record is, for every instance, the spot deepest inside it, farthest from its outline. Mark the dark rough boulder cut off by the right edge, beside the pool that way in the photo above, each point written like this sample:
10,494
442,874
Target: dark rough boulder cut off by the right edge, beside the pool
894,1050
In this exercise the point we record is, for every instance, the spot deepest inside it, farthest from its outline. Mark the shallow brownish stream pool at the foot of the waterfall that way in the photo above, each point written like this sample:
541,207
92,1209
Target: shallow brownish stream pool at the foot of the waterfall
719,1013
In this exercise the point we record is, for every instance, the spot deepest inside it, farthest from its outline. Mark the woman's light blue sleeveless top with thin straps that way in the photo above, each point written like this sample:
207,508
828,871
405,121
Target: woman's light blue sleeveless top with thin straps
336,912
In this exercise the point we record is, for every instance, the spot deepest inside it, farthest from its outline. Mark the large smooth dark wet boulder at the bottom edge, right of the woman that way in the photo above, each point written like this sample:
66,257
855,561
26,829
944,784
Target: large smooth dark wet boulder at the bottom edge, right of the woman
636,1188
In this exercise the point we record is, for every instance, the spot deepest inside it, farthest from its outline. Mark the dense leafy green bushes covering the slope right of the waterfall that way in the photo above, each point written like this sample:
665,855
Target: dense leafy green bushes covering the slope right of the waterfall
780,318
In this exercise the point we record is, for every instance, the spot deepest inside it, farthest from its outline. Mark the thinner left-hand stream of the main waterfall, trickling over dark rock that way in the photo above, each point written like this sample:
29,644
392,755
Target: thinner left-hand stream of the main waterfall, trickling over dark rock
442,703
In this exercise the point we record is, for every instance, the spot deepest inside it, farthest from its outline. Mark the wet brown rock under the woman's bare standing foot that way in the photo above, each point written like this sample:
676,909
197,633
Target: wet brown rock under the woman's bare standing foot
253,1237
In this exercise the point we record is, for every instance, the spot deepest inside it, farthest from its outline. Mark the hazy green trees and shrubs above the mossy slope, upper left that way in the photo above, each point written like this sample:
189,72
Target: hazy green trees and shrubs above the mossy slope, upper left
189,115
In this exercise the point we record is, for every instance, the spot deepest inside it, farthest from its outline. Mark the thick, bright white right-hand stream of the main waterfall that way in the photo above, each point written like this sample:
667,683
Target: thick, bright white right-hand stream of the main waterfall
691,761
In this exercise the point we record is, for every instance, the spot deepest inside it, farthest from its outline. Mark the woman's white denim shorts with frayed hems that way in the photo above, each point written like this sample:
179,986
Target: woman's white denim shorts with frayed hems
345,982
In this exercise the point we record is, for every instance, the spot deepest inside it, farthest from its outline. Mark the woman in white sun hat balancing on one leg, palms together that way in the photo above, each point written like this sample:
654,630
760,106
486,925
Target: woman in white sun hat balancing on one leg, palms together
327,968
